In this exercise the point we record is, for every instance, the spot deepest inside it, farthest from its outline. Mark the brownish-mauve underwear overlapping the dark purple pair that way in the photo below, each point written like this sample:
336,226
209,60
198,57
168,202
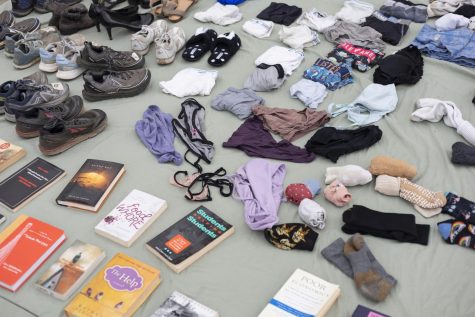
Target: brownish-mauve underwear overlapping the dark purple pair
290,124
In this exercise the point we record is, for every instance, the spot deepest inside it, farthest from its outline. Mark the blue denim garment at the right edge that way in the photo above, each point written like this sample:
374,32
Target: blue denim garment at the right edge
456,46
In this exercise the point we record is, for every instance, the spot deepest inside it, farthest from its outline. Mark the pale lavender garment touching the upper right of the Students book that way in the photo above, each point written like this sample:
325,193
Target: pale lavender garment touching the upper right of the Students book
259,185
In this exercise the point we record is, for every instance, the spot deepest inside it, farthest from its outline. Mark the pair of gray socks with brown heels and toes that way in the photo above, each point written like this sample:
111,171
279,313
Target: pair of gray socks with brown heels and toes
356,260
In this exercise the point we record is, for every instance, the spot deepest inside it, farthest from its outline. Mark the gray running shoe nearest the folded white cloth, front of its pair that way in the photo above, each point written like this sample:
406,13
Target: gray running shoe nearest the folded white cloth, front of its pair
111,84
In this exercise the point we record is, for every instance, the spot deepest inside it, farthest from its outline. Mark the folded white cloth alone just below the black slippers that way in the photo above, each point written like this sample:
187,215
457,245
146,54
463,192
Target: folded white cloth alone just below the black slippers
190,82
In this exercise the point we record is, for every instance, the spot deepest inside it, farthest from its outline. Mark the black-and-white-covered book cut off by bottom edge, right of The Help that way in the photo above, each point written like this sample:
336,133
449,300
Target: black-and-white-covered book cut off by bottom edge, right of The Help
181,305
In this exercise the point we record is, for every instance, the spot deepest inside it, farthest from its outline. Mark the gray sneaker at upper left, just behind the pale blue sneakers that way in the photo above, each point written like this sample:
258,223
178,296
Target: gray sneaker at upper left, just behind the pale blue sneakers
27,51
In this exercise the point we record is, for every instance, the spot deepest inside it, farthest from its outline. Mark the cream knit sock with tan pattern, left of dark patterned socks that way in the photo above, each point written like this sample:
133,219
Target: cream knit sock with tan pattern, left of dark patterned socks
421,196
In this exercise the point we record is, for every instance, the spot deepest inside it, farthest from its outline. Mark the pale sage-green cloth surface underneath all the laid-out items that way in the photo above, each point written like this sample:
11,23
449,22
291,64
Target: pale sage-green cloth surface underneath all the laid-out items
245,271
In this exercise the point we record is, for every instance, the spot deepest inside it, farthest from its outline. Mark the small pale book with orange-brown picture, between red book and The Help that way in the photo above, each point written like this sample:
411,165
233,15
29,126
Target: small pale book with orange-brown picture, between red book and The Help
70,270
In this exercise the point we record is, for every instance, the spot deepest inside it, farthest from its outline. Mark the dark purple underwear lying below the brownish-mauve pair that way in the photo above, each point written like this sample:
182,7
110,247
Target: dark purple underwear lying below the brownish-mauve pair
254,140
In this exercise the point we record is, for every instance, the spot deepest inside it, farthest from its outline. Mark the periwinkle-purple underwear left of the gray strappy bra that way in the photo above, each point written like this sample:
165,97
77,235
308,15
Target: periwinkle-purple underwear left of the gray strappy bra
156,132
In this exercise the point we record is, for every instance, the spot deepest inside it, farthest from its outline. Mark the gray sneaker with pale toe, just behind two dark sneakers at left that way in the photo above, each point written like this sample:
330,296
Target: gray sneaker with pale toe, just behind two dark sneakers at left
28,94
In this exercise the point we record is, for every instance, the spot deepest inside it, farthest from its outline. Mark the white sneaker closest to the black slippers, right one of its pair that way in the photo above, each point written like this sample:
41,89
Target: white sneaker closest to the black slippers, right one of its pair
169,44
